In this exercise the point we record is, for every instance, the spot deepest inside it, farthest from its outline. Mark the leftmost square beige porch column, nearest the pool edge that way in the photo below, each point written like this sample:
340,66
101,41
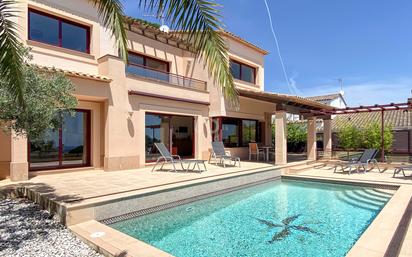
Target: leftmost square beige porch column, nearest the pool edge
281,151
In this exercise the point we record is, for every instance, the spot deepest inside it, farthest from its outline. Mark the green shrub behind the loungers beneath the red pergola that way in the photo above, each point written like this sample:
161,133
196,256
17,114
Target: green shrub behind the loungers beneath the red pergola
371,136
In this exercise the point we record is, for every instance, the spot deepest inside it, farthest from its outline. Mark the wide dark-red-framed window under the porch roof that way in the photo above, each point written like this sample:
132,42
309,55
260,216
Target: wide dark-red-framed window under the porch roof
235,132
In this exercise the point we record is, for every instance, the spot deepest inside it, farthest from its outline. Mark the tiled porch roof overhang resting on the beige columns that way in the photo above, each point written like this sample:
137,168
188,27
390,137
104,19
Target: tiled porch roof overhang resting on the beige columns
290,103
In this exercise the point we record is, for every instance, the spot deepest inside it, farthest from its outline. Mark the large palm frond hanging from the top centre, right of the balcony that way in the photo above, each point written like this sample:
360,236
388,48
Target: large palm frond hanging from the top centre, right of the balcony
199,23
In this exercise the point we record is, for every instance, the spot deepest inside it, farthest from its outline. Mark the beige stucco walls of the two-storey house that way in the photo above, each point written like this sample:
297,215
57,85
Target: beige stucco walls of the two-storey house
117,118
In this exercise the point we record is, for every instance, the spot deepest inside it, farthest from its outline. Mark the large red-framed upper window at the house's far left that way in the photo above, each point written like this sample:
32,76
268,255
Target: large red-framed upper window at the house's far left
56,31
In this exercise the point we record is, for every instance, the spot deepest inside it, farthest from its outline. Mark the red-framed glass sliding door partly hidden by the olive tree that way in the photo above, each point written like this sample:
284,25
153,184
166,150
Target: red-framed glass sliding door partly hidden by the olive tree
67,146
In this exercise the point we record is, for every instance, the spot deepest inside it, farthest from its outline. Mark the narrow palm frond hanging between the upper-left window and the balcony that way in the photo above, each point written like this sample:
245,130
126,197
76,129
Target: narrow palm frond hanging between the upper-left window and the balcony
112,15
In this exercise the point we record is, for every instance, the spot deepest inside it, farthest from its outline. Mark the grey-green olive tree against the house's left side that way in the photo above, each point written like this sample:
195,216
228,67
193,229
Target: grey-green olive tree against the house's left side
45,94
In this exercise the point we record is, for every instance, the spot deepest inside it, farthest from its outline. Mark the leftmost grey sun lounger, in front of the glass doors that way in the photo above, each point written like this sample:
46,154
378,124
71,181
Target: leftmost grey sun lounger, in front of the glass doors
166,157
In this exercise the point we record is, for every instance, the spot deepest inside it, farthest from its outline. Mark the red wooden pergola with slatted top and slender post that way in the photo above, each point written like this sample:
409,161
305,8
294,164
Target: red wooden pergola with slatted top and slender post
360,109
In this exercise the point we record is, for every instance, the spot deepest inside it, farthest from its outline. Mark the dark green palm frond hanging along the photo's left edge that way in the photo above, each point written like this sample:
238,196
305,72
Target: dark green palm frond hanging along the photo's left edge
11,53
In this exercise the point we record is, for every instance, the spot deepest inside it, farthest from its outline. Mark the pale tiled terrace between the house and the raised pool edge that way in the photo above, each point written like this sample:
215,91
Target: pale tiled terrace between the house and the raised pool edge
87,186
